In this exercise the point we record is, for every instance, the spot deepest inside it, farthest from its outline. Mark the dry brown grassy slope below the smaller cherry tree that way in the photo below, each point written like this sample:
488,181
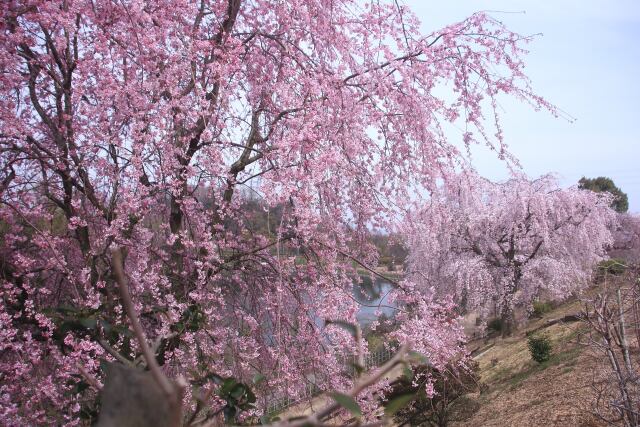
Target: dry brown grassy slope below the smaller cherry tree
516,391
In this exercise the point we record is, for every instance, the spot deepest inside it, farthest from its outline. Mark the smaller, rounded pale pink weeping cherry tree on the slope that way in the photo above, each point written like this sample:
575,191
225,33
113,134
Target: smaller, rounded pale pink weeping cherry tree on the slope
504,243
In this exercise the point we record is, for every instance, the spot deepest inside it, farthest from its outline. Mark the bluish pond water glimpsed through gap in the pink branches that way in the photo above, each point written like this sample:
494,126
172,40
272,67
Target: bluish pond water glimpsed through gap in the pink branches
373,295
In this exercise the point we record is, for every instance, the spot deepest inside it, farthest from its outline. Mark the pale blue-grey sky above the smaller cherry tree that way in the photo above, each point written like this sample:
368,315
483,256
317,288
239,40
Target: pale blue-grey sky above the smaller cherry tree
587,62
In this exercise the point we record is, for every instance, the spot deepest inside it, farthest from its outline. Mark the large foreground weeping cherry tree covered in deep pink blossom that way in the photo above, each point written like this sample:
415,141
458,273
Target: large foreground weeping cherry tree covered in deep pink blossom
239,152
